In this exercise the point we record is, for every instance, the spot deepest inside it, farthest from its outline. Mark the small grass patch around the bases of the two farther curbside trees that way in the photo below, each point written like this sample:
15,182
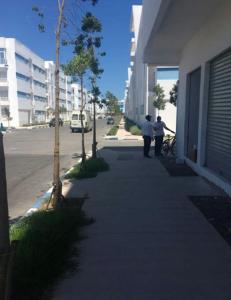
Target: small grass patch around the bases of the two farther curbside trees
89,169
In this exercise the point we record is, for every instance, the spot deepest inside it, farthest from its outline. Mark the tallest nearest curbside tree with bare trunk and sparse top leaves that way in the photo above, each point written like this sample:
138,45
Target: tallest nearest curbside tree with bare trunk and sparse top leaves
61,23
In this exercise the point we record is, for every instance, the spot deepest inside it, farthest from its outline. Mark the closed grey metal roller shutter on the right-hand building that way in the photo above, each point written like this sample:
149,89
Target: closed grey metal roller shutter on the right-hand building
218,147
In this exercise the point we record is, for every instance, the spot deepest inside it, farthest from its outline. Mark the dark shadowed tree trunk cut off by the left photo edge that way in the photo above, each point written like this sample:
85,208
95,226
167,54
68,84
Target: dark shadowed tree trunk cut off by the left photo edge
4,222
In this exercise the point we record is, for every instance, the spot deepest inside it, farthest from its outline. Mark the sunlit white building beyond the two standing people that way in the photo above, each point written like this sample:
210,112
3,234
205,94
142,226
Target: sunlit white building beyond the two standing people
143,77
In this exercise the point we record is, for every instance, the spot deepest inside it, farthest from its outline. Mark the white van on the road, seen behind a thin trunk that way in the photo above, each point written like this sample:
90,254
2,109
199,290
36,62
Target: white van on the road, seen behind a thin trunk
76,121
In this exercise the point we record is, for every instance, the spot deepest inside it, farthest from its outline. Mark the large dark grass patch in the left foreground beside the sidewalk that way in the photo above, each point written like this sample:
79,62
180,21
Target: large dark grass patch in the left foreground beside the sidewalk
44,251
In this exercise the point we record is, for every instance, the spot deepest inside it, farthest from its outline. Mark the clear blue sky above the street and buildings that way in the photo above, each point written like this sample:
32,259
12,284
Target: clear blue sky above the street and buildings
17,20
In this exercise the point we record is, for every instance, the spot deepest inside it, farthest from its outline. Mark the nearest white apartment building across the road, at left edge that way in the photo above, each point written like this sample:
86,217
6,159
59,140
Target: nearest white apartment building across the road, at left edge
22,83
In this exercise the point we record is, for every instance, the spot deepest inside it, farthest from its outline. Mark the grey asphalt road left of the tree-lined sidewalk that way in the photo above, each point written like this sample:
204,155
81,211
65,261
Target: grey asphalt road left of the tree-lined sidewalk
29,161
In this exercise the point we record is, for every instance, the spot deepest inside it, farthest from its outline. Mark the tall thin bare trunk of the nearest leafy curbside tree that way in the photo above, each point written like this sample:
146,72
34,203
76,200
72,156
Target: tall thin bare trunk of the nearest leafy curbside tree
56,179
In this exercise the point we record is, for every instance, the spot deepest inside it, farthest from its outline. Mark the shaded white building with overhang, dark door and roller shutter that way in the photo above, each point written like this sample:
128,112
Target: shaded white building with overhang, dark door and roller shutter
195,35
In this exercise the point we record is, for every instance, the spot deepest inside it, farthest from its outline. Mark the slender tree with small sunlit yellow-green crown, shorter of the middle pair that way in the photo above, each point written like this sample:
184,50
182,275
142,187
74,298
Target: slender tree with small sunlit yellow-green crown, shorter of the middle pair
78,67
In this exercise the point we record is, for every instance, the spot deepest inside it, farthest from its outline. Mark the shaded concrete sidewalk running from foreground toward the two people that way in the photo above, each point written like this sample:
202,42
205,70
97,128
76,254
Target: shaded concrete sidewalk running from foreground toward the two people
149,242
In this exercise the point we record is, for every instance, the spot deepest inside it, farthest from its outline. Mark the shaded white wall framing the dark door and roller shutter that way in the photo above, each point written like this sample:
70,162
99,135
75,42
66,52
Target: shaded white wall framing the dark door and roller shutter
213,38
